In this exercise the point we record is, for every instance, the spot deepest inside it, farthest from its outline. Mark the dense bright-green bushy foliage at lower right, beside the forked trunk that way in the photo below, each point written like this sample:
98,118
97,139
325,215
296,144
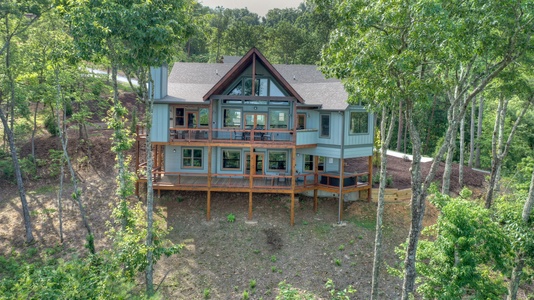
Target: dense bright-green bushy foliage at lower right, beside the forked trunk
466,254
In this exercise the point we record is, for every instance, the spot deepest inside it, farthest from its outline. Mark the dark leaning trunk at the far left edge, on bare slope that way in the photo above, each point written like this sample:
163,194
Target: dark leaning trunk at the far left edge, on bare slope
18,176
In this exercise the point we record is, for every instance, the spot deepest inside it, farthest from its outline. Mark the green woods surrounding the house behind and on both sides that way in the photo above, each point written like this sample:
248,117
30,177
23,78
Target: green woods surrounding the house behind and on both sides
451,80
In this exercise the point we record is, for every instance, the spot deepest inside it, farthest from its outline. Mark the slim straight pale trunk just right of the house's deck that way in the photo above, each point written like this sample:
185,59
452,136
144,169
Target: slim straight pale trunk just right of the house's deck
384,141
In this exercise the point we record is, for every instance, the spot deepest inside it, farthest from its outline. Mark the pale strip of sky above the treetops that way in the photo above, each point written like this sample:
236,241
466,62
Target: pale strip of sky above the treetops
257,6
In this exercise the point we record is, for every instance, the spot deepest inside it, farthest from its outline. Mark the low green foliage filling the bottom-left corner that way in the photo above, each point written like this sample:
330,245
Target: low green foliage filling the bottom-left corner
94,277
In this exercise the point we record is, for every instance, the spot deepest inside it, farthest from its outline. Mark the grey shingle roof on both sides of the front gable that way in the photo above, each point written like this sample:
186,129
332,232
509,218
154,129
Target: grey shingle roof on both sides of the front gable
189,82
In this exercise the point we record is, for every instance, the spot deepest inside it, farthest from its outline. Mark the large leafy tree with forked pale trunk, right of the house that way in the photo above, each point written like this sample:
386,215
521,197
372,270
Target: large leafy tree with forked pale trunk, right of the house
412,51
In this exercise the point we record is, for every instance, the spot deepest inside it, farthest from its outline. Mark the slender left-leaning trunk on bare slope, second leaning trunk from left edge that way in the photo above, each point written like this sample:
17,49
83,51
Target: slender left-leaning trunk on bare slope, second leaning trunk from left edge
77,195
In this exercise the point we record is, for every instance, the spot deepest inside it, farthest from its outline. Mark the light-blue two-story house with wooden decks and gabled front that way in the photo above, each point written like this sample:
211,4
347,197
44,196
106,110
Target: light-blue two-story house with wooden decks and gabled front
252,127
